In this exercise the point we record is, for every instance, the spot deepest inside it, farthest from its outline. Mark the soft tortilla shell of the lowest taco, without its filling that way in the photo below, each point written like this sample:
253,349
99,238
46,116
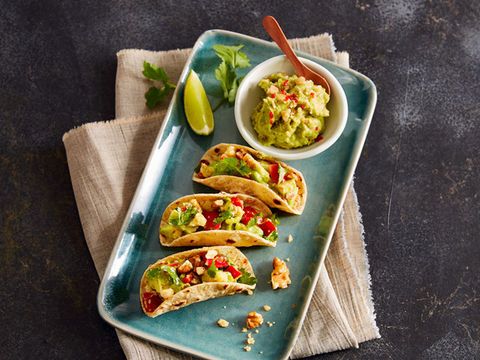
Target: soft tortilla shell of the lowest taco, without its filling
204,291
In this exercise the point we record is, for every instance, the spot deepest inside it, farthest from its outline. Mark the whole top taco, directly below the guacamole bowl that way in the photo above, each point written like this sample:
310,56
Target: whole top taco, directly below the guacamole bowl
235,168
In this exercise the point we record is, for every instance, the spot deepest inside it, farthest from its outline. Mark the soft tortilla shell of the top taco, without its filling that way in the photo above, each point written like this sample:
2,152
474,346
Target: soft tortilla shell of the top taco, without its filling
238,184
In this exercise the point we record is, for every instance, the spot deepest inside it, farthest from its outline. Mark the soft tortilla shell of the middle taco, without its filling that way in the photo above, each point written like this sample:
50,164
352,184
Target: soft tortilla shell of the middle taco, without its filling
237,238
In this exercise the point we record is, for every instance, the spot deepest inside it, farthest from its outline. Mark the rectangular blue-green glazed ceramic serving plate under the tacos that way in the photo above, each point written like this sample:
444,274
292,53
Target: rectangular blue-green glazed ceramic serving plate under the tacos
168,175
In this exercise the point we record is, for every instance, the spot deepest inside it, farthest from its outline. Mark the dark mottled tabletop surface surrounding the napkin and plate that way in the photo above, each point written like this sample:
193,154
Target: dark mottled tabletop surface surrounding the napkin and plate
418,179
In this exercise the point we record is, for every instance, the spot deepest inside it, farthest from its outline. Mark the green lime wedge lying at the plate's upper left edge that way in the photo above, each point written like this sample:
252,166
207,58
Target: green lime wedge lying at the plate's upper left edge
197,108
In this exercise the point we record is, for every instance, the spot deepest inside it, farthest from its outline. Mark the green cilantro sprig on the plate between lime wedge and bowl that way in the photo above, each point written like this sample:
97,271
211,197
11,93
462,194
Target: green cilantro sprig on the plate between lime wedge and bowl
232,59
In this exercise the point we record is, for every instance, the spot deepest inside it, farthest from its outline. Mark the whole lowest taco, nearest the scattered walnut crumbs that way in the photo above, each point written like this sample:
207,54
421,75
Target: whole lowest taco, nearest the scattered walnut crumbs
192,276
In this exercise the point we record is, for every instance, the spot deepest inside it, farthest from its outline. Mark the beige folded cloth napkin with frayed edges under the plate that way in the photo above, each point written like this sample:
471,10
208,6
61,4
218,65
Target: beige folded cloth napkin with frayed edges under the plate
106,160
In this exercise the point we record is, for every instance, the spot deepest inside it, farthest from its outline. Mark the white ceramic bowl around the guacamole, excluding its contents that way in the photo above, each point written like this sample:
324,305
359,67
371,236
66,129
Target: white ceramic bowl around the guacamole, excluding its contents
249,95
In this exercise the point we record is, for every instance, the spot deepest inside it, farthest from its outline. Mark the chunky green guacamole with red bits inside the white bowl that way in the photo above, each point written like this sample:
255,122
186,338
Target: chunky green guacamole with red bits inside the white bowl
292,113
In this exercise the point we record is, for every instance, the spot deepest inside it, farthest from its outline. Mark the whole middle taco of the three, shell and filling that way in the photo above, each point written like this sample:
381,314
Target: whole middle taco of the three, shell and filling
218,219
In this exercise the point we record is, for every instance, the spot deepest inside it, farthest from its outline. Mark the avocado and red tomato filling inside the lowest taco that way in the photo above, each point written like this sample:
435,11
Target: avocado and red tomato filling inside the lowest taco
165,280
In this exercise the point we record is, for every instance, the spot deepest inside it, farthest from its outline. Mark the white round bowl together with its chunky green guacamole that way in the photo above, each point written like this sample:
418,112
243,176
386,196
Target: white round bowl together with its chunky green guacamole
300,139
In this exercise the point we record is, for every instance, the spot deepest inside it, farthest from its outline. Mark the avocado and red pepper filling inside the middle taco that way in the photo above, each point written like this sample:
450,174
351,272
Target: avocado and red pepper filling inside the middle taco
228,213
